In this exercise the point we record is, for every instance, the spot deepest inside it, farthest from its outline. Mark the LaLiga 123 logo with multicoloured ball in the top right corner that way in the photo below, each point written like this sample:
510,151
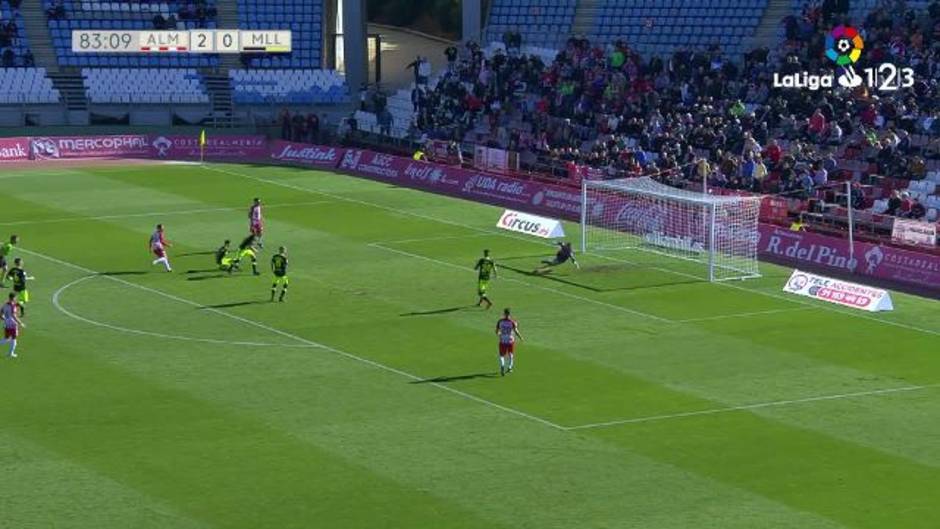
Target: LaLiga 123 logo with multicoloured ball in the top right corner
844,46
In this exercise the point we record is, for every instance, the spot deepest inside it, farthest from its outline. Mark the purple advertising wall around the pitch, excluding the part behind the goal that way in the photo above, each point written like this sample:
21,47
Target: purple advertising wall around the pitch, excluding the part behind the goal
907,269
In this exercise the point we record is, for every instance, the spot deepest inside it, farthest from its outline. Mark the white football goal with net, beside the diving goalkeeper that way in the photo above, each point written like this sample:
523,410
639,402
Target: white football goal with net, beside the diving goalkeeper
718,233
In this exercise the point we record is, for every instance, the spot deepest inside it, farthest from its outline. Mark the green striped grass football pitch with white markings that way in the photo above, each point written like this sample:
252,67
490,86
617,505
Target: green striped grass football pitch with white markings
643,397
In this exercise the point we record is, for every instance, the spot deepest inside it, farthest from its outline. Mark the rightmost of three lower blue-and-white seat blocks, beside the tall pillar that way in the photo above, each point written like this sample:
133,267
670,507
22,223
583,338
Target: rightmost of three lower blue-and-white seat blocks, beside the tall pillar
288,86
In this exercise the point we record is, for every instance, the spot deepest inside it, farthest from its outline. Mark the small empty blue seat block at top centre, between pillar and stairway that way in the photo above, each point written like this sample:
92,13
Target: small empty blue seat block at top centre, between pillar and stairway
540,22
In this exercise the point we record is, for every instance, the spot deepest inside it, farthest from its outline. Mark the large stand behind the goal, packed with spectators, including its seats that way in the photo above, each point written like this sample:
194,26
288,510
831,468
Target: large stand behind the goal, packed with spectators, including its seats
683,108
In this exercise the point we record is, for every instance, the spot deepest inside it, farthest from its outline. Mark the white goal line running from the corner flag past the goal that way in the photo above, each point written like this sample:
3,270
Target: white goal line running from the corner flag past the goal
726,284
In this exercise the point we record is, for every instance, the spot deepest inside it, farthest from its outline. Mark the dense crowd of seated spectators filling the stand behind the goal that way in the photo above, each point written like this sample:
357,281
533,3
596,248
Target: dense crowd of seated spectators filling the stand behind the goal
698,115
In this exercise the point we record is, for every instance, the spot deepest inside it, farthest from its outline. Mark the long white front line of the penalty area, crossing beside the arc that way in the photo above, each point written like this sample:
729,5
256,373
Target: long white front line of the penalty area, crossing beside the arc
302,340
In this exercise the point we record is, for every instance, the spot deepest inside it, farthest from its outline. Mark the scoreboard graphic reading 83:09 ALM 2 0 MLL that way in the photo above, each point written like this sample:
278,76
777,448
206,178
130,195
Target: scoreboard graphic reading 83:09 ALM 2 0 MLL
193,41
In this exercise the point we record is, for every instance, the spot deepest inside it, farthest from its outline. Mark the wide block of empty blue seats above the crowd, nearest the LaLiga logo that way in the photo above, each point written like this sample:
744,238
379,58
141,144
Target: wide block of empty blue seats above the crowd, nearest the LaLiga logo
659,27
